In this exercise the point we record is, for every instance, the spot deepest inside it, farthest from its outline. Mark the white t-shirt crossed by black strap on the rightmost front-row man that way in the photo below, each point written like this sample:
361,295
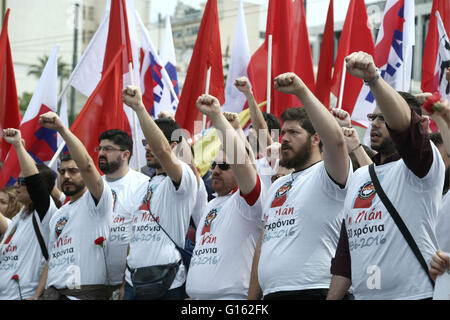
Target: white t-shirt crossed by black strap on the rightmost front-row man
382,263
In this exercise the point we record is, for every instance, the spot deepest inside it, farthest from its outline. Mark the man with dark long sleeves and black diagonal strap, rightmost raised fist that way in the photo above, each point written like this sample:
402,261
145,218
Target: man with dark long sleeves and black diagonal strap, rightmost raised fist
373,255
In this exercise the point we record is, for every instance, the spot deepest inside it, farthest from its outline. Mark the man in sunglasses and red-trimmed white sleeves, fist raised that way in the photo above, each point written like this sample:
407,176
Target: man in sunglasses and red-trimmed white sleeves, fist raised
229,227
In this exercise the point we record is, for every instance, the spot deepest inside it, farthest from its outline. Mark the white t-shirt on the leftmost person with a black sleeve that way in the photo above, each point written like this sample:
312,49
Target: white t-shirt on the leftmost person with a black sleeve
21,254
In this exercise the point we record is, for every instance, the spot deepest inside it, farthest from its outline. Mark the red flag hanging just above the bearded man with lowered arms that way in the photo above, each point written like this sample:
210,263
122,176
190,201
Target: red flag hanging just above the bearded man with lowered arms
100,113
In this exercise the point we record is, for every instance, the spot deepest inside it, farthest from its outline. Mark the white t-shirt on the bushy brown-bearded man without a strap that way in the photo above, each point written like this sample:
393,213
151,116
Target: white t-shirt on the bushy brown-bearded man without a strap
302,220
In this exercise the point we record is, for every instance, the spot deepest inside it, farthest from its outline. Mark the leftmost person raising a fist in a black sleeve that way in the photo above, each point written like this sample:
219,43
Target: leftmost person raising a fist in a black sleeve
20,251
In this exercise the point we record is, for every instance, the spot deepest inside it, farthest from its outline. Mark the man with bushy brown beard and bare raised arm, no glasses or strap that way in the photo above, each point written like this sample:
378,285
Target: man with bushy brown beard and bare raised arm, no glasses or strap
302,212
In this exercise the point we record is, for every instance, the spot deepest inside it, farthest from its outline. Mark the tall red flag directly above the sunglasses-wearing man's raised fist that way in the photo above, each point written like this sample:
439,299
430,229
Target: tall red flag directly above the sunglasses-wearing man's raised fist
207,54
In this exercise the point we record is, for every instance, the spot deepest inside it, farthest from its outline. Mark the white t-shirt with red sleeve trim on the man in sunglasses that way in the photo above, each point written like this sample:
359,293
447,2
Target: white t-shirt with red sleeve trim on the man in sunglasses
225,243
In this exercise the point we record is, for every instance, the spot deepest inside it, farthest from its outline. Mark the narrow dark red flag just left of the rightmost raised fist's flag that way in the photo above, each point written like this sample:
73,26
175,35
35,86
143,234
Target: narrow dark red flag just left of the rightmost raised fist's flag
324,72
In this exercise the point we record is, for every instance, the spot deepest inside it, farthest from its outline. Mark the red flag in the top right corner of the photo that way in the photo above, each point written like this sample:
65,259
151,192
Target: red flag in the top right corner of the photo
430,83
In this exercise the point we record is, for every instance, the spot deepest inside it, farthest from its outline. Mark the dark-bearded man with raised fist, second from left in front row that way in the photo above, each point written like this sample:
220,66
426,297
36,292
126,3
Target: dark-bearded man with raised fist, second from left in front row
76,266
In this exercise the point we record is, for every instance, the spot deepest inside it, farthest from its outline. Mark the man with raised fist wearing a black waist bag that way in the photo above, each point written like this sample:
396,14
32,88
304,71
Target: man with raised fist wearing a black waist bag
169,199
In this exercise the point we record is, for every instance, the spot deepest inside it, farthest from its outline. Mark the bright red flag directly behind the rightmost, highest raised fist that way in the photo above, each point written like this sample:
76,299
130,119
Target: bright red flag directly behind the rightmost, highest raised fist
356,36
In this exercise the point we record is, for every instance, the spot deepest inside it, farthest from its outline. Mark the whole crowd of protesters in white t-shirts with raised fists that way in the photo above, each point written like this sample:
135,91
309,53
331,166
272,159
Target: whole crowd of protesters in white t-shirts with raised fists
299,216
